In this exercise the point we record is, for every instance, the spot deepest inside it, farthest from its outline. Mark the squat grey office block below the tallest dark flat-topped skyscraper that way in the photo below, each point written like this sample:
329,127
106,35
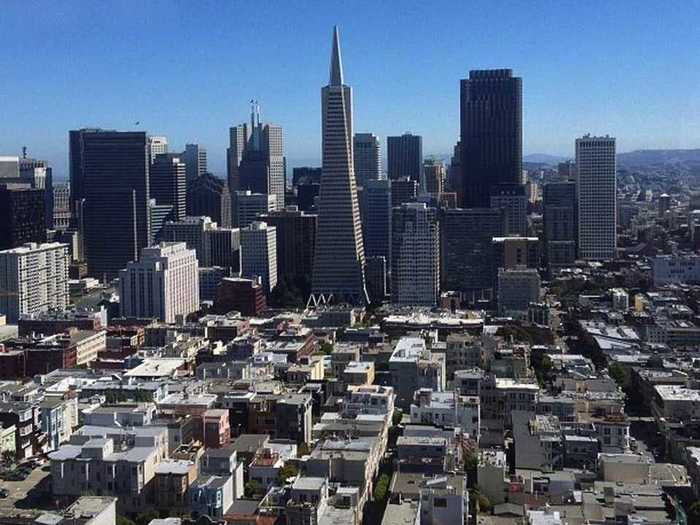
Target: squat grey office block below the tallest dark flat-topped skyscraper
516,289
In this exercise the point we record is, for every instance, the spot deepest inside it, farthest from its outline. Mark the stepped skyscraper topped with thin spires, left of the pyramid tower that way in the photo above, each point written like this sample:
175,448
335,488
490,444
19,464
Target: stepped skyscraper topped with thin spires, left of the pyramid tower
256,157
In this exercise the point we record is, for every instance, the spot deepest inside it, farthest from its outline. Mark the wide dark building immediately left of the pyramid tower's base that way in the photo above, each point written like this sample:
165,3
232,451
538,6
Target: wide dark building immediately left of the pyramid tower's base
296,239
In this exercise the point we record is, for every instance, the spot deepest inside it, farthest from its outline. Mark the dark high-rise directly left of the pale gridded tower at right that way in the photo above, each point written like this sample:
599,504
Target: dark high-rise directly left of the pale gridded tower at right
559,216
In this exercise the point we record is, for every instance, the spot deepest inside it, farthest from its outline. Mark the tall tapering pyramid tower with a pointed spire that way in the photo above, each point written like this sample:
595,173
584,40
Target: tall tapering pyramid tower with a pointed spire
338,274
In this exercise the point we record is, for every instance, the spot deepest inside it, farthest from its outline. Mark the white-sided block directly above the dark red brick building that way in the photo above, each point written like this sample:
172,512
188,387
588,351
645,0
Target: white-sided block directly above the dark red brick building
259,253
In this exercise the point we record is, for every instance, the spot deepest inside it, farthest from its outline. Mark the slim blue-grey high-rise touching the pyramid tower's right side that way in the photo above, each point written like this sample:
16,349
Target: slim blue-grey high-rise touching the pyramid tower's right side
376,218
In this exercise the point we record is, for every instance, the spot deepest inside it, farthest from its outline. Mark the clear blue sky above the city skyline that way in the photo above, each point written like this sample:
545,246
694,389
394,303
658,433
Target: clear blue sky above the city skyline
188,69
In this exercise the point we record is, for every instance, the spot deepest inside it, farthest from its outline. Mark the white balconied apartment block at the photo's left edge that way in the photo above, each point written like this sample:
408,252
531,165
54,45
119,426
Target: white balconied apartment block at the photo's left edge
33,279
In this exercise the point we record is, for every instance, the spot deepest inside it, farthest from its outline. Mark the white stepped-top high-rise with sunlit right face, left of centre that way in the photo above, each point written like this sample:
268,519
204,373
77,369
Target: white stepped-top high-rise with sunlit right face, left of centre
163,283
